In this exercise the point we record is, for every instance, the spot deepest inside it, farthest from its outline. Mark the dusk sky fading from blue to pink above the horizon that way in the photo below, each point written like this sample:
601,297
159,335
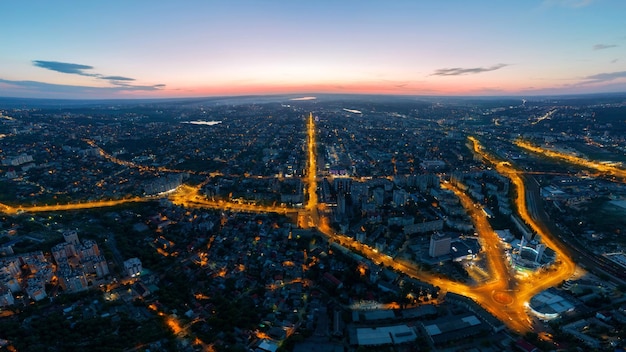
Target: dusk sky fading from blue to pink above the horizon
161,49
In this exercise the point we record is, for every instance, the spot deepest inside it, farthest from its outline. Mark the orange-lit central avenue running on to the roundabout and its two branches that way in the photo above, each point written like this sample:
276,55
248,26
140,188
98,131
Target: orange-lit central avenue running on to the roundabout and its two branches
504,295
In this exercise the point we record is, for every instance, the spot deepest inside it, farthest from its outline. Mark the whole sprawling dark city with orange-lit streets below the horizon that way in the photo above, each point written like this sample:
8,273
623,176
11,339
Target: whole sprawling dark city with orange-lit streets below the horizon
313,223
